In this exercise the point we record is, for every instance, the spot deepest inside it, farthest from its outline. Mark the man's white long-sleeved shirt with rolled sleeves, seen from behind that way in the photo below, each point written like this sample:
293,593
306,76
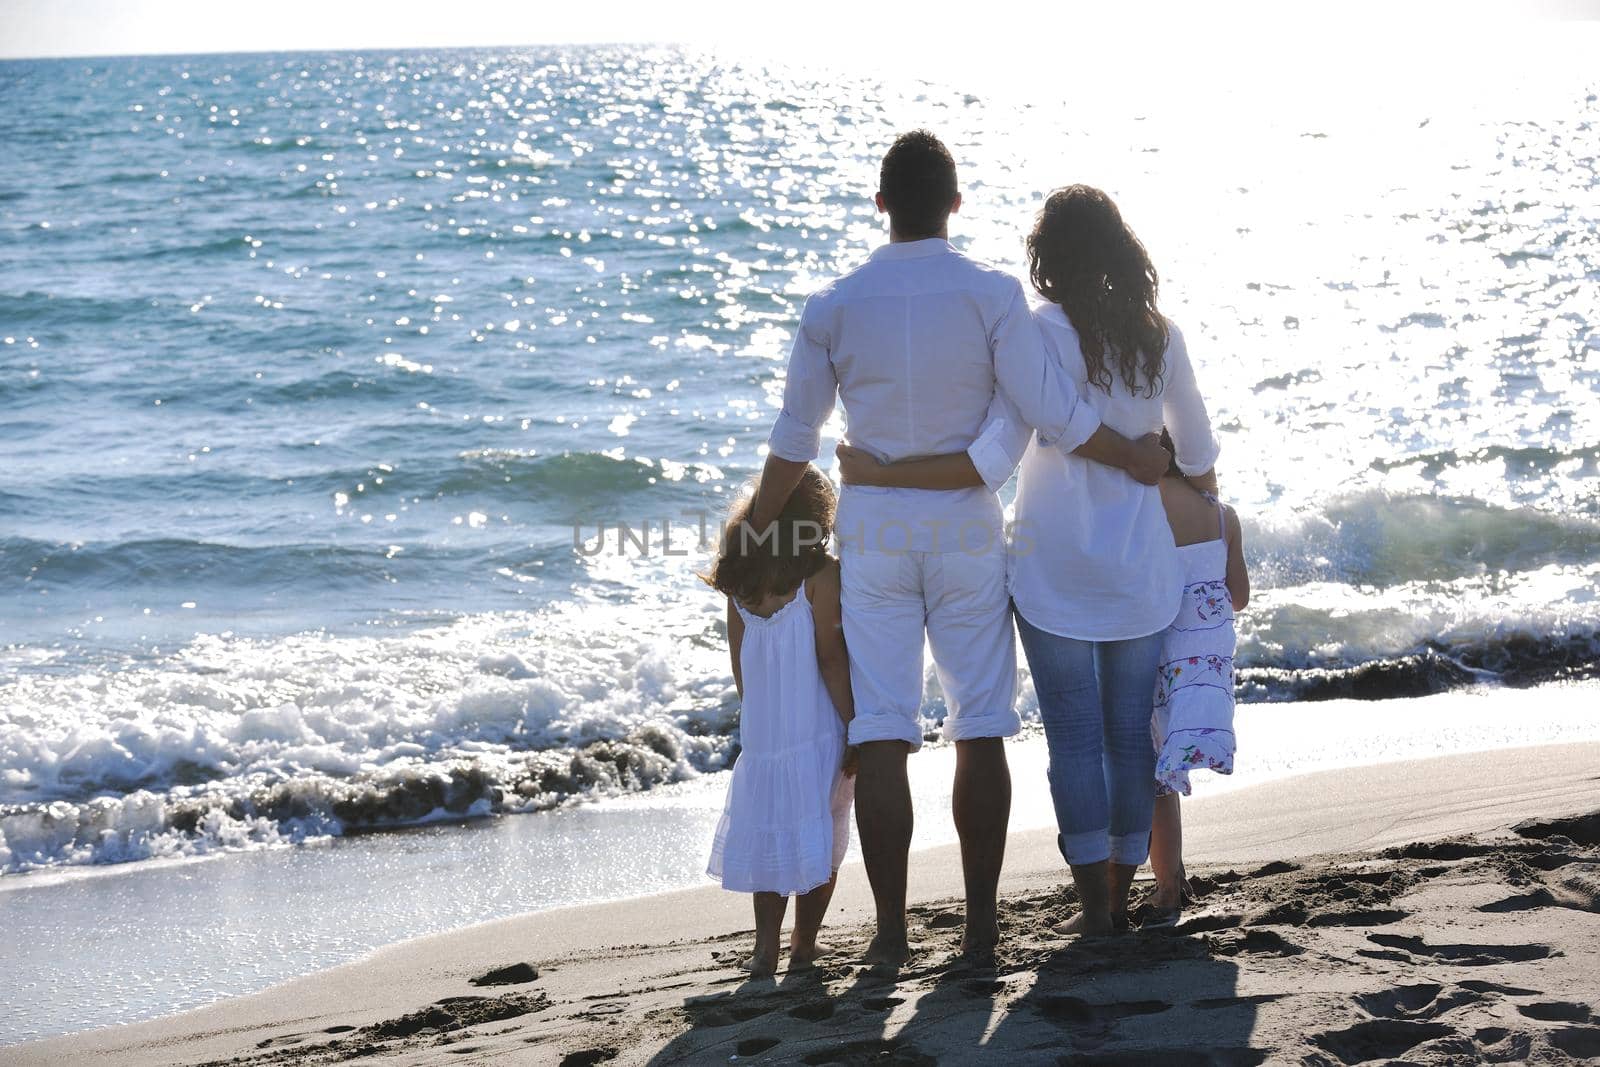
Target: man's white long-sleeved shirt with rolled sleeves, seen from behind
918,343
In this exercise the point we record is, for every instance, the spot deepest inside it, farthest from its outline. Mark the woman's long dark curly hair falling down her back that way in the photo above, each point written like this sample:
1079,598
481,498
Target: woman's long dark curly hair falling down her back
1084,258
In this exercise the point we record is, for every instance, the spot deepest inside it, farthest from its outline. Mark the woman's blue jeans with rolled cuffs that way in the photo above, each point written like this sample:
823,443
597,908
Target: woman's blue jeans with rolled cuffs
1095,700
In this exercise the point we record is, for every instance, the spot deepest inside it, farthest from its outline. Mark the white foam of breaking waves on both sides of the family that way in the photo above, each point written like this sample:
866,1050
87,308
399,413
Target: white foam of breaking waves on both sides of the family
236,743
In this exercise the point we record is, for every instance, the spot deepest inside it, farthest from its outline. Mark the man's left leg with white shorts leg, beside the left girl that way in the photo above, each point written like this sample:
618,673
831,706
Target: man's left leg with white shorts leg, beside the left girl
881,602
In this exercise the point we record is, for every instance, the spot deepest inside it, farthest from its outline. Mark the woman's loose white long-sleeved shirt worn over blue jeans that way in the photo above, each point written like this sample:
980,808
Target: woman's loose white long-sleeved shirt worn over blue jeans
1092,556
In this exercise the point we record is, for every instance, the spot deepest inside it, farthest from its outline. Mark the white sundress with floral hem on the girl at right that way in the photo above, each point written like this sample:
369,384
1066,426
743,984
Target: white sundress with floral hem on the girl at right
1194,689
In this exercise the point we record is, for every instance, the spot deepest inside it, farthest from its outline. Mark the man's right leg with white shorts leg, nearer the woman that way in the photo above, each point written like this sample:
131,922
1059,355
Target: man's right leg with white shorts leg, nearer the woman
975,653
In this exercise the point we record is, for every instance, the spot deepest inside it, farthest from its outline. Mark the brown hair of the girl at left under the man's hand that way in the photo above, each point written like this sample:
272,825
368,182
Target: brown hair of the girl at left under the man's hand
756,564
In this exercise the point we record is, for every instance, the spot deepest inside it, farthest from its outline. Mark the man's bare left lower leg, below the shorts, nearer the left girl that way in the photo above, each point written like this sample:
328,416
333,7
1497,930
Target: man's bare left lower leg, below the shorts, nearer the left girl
884,820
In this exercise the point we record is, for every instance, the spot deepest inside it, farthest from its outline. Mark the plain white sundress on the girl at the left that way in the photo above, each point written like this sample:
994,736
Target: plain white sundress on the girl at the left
786,821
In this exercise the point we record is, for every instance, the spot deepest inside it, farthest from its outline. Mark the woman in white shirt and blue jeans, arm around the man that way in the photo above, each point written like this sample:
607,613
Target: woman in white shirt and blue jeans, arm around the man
1095,575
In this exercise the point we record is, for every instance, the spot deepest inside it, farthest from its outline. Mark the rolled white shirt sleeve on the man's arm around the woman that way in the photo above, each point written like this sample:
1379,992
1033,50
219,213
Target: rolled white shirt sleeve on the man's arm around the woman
1034,382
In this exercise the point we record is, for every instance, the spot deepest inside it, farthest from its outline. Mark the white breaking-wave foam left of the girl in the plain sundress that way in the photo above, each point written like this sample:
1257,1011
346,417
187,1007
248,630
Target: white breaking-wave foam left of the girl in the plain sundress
255,743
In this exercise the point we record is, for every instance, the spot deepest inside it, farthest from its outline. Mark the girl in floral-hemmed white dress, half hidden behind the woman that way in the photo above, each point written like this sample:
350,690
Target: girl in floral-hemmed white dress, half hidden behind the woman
1193,725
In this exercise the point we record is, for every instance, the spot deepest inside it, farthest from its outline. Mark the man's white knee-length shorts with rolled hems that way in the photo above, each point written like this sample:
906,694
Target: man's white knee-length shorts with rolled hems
961,601
